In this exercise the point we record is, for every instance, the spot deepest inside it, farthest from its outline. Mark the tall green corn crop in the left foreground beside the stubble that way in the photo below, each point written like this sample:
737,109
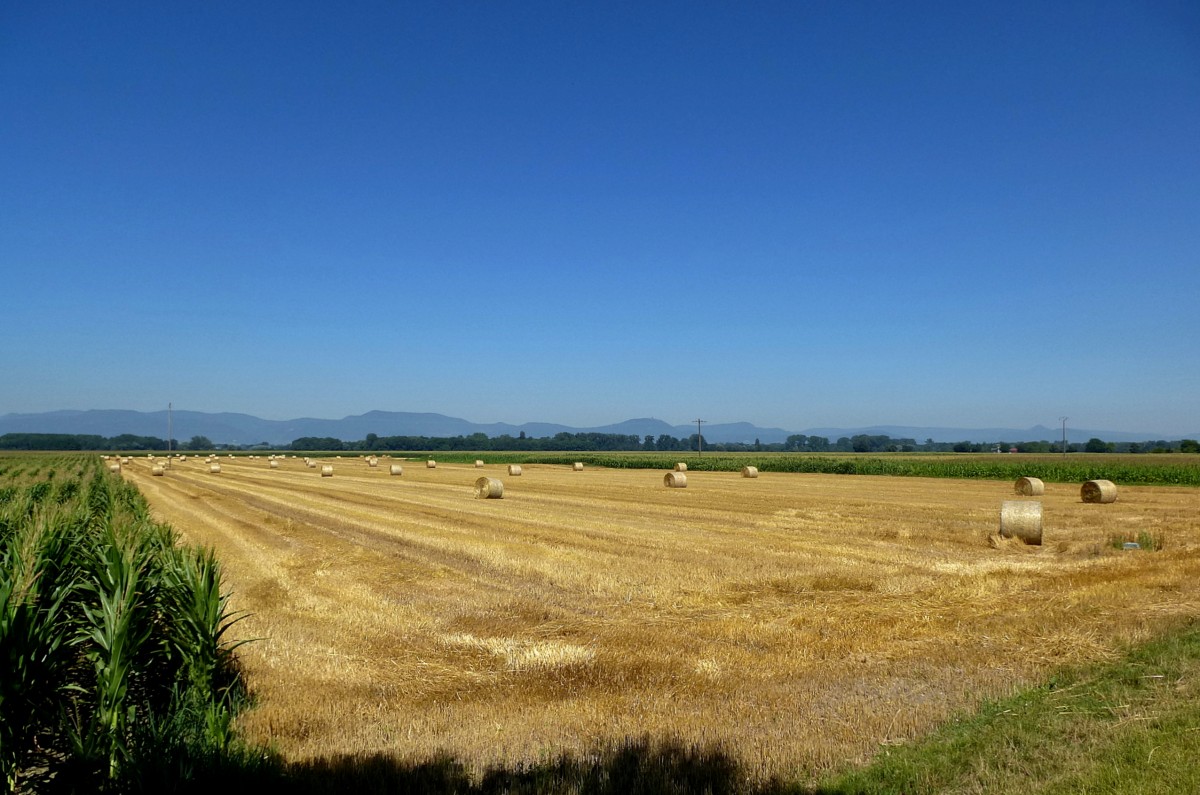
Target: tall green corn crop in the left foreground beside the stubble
117,673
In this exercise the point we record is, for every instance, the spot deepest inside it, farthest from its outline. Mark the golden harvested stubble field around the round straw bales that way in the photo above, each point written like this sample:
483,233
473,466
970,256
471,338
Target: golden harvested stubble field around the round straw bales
801,621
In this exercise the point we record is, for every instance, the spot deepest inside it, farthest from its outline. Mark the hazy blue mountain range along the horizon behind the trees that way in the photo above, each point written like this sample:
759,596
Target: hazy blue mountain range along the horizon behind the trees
244,429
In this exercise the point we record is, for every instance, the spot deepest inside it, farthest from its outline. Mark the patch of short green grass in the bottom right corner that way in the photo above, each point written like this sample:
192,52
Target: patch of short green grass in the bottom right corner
1132,726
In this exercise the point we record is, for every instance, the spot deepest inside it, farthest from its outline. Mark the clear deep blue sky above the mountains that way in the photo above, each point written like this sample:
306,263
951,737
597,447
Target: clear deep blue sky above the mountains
795,214
